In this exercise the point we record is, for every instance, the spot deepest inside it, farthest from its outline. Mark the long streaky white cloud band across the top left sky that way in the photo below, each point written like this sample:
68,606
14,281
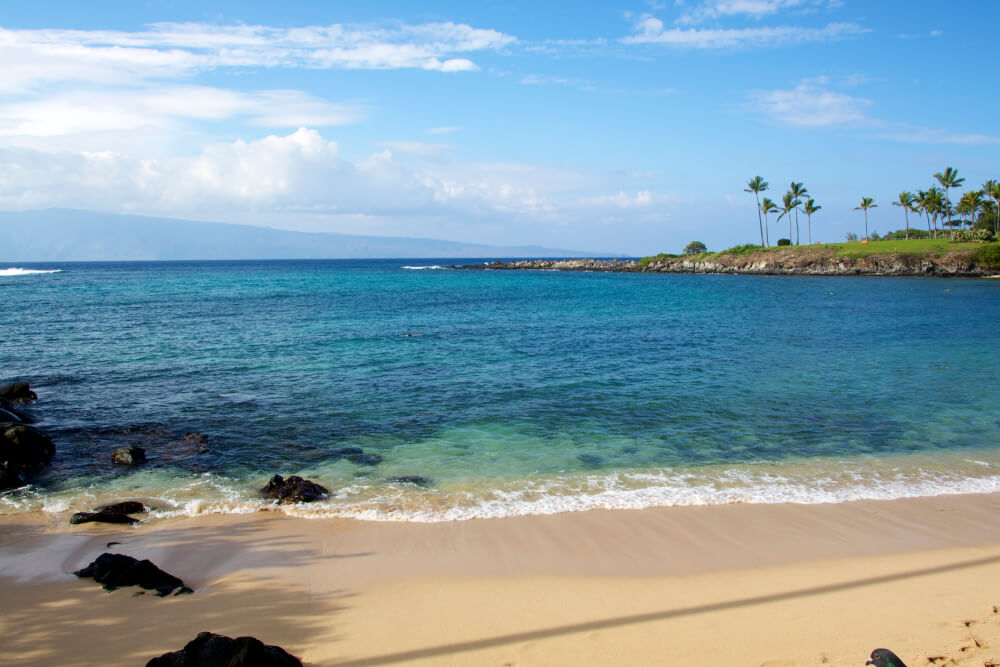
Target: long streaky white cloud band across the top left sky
35,58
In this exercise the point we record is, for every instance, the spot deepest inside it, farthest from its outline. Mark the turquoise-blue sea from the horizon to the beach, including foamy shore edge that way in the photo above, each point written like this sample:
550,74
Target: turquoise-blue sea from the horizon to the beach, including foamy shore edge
511,392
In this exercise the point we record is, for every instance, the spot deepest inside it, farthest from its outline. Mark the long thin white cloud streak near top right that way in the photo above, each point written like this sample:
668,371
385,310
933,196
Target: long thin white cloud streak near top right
650,30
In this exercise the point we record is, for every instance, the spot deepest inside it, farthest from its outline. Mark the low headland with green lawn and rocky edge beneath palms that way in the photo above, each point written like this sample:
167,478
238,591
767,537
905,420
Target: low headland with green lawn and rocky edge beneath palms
915,257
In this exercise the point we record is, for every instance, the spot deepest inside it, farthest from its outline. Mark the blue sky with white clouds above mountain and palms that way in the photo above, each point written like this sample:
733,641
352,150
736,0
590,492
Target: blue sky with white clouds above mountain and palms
624,126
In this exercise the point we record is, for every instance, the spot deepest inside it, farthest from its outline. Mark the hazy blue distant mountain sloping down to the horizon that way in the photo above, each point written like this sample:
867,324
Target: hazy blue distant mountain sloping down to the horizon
71,235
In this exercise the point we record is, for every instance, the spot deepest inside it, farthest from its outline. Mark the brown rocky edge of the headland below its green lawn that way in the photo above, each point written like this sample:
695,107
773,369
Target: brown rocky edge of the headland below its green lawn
774,262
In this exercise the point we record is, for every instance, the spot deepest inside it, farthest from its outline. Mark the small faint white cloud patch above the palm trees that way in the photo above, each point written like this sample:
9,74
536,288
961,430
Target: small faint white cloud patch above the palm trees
809,104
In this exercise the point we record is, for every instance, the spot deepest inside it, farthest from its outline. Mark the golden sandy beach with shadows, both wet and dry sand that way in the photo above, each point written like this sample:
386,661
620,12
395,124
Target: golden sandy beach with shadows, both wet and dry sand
731,585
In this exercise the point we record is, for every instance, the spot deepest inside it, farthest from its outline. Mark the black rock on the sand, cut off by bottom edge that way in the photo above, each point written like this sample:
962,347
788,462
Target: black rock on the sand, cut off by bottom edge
211,650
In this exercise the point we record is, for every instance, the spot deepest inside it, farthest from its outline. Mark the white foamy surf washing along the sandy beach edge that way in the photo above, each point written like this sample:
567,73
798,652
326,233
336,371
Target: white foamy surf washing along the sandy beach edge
376,501
